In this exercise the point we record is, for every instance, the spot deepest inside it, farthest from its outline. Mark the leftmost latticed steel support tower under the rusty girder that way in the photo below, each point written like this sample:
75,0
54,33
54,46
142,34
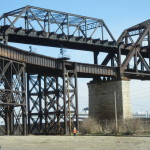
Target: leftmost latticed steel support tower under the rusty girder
12,97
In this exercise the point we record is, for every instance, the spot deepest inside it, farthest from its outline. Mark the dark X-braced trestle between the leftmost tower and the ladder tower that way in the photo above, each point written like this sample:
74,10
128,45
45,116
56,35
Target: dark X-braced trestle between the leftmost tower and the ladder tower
45,104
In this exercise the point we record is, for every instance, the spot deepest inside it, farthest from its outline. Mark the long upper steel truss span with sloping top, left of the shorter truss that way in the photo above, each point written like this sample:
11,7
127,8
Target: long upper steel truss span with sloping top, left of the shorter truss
55,25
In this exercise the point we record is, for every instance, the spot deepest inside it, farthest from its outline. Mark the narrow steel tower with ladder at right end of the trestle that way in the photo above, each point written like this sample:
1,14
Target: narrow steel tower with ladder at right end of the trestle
70,98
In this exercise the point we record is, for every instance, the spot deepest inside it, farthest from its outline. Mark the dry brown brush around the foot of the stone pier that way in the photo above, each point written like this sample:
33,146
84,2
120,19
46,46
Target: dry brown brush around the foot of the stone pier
128,126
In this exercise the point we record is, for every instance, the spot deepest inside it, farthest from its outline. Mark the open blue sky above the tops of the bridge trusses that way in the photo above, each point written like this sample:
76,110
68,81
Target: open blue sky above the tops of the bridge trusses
118,14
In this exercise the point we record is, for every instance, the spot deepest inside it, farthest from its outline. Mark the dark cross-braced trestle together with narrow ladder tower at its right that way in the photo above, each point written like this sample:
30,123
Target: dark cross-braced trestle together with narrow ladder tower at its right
52,102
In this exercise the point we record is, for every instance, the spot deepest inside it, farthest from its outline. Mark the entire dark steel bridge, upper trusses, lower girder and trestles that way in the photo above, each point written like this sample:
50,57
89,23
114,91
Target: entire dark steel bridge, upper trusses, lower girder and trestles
39,94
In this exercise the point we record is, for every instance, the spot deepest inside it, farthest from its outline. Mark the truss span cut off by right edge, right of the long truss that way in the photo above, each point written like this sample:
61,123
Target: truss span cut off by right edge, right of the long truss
137,40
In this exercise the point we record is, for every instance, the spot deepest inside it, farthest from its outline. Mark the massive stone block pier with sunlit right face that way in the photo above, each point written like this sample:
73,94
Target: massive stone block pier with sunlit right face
102,99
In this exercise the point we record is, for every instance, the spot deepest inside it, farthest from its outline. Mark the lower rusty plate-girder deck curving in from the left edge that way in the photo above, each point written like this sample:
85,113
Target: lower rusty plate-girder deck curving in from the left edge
50,65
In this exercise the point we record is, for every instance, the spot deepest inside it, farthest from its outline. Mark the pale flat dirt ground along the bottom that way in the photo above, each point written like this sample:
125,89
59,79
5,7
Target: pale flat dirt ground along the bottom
74,143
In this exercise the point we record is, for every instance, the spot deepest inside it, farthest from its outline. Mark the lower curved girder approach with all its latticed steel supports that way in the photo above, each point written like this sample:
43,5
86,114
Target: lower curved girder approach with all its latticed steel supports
51,92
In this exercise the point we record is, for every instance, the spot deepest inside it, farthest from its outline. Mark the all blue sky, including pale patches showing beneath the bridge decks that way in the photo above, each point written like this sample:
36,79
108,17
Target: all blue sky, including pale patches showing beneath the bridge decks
117,14
